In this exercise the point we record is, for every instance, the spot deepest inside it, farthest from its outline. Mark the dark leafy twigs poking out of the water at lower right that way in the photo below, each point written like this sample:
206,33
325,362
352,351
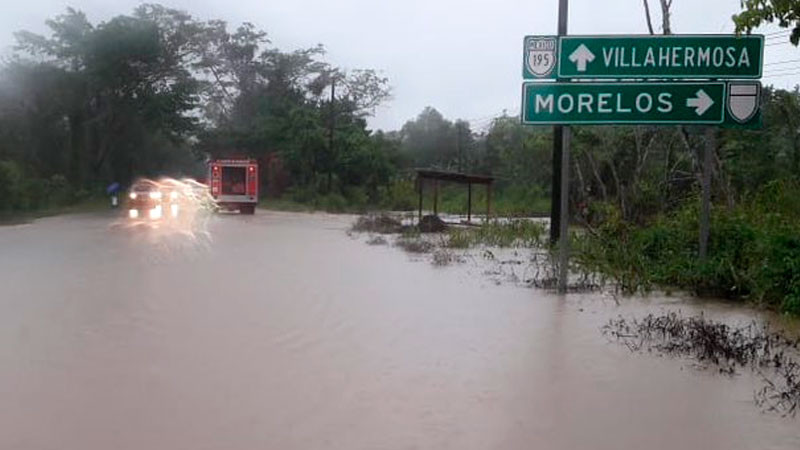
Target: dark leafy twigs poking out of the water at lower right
726,348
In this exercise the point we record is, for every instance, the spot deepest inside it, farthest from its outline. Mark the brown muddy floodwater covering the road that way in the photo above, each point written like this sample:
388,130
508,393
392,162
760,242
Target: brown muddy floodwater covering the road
282,332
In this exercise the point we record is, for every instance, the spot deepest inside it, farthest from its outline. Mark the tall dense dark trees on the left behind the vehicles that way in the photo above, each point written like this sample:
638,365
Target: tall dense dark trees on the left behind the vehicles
156,92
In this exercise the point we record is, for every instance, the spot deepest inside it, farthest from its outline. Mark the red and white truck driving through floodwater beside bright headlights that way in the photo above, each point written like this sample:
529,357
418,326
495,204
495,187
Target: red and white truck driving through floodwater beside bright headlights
234,183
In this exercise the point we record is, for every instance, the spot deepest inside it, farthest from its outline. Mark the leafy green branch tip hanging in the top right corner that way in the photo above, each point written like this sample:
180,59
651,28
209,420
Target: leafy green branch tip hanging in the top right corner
757,12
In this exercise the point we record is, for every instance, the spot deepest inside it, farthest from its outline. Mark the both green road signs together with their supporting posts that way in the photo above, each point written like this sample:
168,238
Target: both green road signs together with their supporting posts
655,82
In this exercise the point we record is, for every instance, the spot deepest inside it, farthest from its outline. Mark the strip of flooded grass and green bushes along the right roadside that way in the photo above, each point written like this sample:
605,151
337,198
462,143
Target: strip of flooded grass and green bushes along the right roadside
754,251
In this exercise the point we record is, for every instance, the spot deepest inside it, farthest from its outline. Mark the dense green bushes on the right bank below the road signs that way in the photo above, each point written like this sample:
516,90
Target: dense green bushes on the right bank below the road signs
754,249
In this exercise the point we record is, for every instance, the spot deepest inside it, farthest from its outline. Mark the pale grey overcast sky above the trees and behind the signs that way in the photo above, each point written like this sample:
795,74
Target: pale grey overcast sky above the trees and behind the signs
462,57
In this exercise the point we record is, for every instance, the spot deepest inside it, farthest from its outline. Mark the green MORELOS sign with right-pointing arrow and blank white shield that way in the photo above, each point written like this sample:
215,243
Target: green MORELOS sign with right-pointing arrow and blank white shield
634,103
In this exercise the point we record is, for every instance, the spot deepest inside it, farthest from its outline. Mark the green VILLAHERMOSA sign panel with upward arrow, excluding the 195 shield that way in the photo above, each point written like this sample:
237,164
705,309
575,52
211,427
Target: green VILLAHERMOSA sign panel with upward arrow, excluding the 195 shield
671,56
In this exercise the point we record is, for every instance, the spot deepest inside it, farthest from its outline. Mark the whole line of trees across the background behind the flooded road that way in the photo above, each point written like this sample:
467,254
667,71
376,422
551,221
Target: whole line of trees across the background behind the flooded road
157,91
